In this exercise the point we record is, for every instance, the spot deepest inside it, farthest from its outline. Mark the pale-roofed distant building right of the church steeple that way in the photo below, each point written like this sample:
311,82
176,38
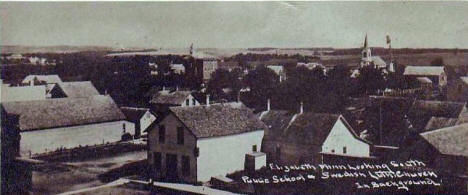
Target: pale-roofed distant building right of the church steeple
435,73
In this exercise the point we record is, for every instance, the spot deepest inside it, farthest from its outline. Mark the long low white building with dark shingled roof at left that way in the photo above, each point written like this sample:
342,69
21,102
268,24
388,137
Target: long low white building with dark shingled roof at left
63,123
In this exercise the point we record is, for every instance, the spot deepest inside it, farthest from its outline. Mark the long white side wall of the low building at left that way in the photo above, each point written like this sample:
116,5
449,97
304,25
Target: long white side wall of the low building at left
40,141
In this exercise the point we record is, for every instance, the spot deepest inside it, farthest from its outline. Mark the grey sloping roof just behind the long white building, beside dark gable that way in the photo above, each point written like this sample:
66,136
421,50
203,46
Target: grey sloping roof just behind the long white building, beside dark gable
78,89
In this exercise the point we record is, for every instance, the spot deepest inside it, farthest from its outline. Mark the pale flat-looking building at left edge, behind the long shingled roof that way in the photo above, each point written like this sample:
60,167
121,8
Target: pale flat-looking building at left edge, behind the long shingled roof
22,93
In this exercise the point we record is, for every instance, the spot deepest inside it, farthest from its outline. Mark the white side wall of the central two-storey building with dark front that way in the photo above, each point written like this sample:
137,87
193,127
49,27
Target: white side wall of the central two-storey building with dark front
225,154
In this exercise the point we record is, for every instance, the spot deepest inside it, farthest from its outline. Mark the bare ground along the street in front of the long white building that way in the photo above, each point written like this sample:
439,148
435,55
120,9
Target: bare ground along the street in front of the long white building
54,178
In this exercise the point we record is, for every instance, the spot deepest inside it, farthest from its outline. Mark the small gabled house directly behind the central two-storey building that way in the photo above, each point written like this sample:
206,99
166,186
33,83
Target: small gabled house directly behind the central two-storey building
162,100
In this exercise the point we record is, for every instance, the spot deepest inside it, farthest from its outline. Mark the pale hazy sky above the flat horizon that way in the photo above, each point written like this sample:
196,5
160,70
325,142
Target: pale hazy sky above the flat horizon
235,24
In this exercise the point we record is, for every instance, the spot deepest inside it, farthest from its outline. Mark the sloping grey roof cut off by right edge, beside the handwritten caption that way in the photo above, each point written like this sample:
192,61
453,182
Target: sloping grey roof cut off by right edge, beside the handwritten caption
450,140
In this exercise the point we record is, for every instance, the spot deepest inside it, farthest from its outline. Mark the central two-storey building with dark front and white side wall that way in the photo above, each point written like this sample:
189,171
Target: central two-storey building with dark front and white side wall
198,142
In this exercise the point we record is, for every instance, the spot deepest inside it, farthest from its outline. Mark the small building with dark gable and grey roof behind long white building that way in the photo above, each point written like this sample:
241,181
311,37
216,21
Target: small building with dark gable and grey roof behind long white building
76,89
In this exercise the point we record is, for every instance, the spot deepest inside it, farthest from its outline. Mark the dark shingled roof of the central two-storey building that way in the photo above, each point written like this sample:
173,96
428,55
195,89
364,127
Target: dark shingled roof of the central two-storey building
218,119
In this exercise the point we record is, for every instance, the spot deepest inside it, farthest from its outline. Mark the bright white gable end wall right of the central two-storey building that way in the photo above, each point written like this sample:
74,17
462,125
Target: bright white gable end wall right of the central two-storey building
341,137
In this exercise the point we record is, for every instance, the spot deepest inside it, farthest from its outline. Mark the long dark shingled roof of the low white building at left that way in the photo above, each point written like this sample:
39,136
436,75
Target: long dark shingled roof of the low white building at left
60,112
